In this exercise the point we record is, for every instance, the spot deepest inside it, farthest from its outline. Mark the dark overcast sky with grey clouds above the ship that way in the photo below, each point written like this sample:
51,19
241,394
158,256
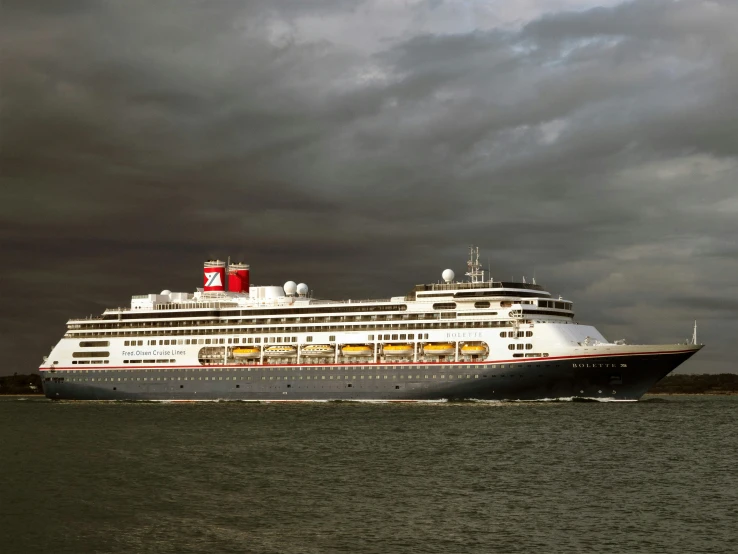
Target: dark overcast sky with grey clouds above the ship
361,146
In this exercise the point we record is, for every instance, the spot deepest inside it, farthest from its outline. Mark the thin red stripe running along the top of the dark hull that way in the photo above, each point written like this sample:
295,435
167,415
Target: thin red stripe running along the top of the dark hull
513,361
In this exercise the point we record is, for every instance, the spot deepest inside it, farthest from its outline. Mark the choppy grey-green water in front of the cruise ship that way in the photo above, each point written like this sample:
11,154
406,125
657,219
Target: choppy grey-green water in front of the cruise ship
654,476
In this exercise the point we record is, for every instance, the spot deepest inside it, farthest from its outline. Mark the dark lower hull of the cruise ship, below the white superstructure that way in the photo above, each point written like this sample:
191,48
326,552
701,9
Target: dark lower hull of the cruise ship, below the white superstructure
619,377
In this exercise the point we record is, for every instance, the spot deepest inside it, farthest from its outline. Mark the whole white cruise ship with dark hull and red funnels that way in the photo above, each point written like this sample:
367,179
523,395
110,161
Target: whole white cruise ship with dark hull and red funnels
469,339
